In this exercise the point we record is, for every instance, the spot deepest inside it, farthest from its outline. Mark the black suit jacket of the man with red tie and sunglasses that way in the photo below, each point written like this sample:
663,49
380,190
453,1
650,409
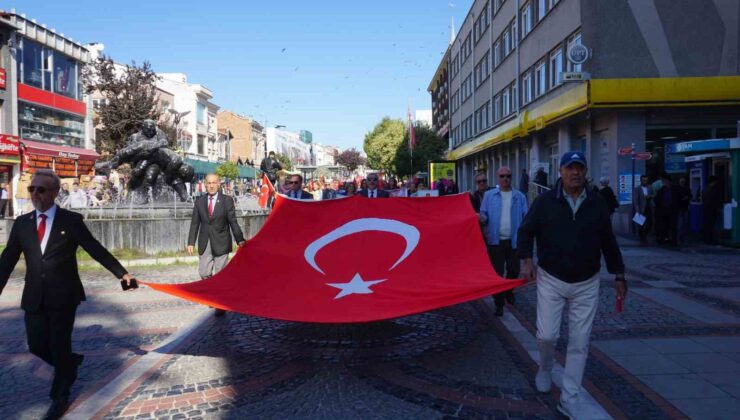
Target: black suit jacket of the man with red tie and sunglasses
52,277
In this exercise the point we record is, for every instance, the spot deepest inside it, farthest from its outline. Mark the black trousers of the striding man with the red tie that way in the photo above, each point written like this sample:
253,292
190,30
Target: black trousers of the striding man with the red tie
49,335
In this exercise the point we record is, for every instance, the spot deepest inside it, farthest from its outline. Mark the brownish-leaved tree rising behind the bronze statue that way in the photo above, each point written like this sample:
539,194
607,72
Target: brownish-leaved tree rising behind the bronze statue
130,97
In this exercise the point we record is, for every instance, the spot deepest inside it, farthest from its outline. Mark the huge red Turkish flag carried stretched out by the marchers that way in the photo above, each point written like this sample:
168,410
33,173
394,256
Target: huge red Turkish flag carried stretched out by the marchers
354,260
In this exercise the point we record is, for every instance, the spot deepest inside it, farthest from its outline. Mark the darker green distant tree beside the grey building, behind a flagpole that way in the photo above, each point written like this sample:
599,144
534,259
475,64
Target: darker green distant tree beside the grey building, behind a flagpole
429,146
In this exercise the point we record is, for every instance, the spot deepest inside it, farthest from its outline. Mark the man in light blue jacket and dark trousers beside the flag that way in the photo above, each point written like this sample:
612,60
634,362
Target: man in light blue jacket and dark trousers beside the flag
502,212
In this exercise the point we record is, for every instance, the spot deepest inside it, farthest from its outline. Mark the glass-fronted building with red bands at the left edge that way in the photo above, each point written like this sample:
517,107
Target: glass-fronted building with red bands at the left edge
45,109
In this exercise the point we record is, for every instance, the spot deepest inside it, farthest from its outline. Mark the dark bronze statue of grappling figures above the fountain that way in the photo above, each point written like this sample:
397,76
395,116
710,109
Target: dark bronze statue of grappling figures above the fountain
151,161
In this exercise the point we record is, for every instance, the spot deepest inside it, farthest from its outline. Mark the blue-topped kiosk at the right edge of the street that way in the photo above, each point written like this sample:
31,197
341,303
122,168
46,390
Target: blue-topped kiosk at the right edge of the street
718,160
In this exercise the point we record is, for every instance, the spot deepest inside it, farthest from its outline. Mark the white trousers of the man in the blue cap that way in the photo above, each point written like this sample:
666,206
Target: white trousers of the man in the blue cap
583,299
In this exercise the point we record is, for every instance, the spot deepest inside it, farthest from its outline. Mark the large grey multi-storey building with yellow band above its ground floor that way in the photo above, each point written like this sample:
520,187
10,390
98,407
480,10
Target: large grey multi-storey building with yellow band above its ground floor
531,79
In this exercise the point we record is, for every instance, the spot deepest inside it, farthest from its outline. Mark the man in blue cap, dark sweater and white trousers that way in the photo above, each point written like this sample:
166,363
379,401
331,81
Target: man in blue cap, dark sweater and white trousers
572,228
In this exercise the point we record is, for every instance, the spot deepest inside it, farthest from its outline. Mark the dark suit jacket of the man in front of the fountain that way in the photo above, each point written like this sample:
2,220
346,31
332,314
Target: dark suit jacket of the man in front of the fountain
214,228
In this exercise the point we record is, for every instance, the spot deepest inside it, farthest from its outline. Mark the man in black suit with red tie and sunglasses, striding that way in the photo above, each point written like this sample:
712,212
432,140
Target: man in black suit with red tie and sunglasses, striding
48,239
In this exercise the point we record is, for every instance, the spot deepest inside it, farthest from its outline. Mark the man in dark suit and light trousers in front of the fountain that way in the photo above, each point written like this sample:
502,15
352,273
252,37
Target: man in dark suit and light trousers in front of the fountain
214,214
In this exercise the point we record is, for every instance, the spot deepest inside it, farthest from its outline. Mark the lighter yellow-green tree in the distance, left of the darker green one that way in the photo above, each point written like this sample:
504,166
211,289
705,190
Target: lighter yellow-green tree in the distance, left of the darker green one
382,143
